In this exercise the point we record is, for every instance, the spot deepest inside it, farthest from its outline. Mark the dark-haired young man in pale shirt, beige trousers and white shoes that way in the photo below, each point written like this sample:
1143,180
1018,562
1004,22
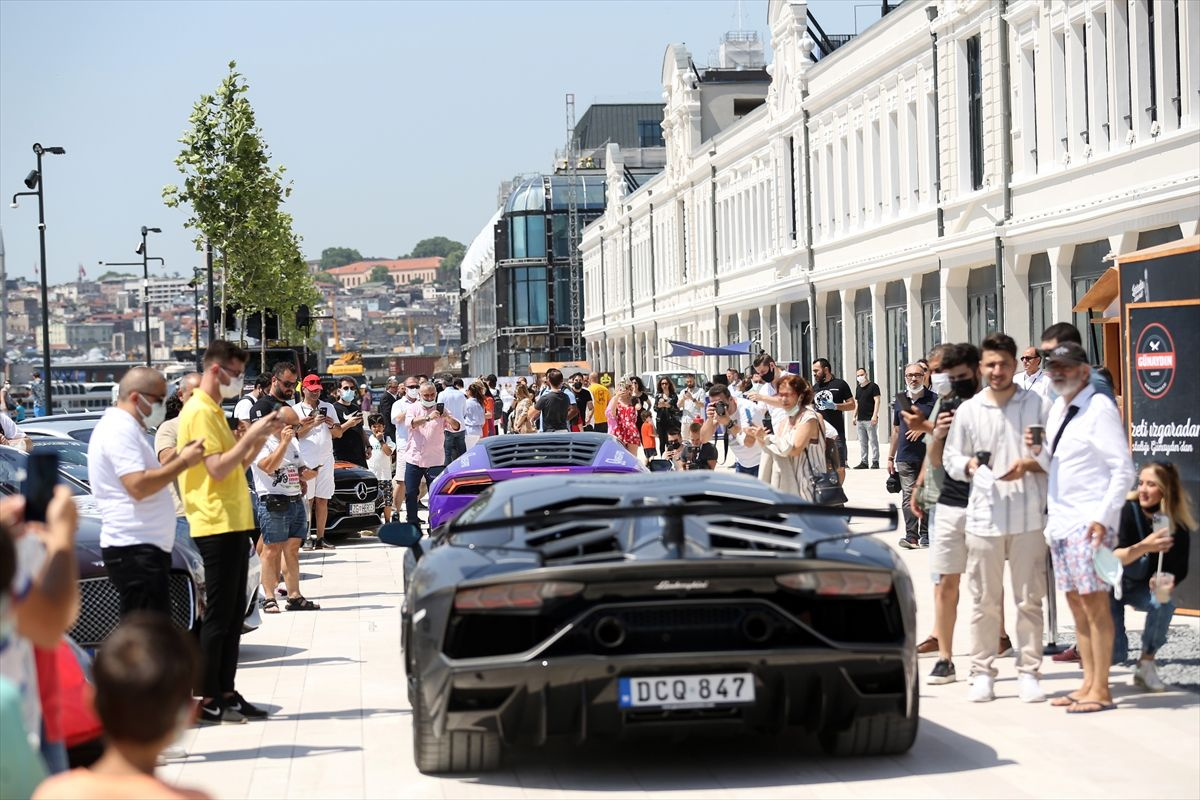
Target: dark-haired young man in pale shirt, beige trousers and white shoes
1006,516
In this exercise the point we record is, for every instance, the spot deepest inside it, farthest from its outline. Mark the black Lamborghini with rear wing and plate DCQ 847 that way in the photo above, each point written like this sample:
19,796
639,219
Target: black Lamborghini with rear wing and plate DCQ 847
608,606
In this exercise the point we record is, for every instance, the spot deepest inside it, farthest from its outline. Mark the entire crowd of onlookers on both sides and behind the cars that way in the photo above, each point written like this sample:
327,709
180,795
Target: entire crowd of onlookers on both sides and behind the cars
999,459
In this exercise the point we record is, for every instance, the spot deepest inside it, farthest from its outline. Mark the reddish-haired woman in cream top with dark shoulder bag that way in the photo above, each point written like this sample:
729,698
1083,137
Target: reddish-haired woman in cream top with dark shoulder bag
795,453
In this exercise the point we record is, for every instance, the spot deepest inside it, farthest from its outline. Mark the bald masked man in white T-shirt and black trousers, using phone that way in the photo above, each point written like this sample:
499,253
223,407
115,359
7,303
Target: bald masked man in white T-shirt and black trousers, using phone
137,516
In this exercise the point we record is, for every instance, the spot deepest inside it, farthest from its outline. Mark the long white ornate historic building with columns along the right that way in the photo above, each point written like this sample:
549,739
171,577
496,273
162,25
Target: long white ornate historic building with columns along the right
862,213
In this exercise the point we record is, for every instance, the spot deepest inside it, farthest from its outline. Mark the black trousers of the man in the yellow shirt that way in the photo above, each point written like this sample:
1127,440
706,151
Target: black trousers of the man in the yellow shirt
226,568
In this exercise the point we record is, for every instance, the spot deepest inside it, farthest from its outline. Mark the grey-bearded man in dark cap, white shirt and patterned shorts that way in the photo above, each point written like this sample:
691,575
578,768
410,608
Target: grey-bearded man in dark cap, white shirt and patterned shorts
1091,473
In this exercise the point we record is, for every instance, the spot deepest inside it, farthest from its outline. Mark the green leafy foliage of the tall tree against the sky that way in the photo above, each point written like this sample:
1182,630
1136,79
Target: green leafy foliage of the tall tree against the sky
237,203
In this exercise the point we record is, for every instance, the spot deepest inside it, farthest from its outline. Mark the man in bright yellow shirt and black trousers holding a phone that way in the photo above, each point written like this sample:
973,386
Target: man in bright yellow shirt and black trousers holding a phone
217,498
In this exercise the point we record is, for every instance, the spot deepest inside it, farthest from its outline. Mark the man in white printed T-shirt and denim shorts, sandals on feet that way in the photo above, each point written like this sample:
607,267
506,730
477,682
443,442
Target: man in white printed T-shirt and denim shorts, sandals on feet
279,472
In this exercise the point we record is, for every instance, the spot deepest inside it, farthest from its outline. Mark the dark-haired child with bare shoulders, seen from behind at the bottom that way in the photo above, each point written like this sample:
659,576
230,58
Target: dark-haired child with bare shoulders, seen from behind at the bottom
145,675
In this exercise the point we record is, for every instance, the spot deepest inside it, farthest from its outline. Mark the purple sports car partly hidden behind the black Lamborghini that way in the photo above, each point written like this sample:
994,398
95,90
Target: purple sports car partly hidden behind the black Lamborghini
503,459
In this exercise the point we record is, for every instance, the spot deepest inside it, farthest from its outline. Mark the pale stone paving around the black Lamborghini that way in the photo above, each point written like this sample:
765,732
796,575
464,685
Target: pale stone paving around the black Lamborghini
341,729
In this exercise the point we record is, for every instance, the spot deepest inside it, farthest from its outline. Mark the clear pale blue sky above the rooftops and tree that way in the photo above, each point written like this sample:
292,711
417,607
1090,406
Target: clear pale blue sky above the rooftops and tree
395,121
